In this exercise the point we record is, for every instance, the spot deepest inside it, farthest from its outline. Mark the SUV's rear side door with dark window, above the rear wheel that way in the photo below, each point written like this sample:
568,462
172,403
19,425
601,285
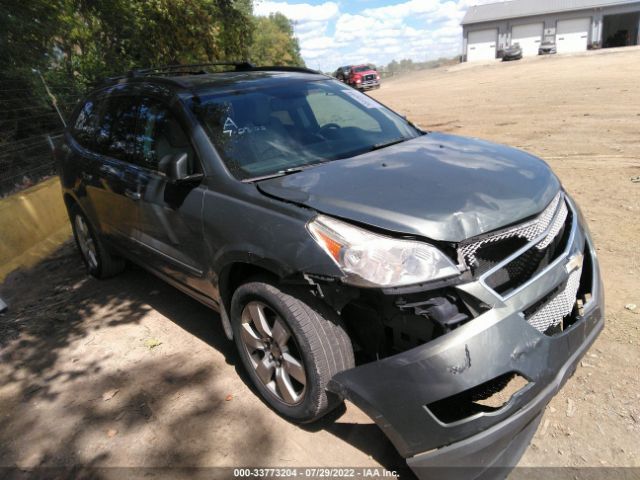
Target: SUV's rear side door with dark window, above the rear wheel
113,188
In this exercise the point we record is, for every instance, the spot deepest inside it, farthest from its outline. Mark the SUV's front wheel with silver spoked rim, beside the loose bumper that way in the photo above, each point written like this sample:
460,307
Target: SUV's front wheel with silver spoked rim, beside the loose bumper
291,376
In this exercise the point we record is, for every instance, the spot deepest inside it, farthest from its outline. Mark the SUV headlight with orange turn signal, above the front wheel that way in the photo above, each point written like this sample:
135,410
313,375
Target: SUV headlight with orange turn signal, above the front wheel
372,260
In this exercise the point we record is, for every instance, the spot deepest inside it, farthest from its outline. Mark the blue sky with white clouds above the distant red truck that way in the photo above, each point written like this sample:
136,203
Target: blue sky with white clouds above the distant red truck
334,33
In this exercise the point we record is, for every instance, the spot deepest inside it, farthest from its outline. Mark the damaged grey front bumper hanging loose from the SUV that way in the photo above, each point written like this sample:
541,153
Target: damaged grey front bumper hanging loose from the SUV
426,399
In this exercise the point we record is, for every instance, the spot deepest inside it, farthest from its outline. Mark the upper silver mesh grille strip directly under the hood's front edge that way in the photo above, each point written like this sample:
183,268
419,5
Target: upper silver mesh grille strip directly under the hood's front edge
553,218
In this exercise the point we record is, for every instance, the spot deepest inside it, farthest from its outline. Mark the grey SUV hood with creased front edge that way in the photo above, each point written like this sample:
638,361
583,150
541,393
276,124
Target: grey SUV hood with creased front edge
437,186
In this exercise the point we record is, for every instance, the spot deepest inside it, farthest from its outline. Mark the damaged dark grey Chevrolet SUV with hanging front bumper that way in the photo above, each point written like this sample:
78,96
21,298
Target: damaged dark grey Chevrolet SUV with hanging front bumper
350,254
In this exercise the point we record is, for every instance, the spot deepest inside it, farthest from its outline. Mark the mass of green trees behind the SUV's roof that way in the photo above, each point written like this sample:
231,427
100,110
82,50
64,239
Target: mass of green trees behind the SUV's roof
76,43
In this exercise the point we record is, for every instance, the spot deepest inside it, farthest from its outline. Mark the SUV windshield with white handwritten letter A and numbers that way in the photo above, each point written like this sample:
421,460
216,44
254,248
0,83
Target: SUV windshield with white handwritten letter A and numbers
266,131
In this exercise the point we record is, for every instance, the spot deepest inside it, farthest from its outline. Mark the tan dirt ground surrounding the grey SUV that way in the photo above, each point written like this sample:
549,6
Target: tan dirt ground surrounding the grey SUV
131,373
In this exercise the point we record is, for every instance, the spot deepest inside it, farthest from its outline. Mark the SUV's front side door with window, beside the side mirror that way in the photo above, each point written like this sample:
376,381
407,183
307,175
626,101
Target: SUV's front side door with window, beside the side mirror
169,225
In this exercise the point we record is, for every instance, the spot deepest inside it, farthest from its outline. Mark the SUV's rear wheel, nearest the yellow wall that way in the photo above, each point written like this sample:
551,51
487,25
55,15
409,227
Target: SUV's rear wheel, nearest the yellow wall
99,262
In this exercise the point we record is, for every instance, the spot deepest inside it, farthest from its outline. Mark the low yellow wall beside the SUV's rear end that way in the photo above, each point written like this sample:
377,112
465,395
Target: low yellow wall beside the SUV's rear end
33,223
